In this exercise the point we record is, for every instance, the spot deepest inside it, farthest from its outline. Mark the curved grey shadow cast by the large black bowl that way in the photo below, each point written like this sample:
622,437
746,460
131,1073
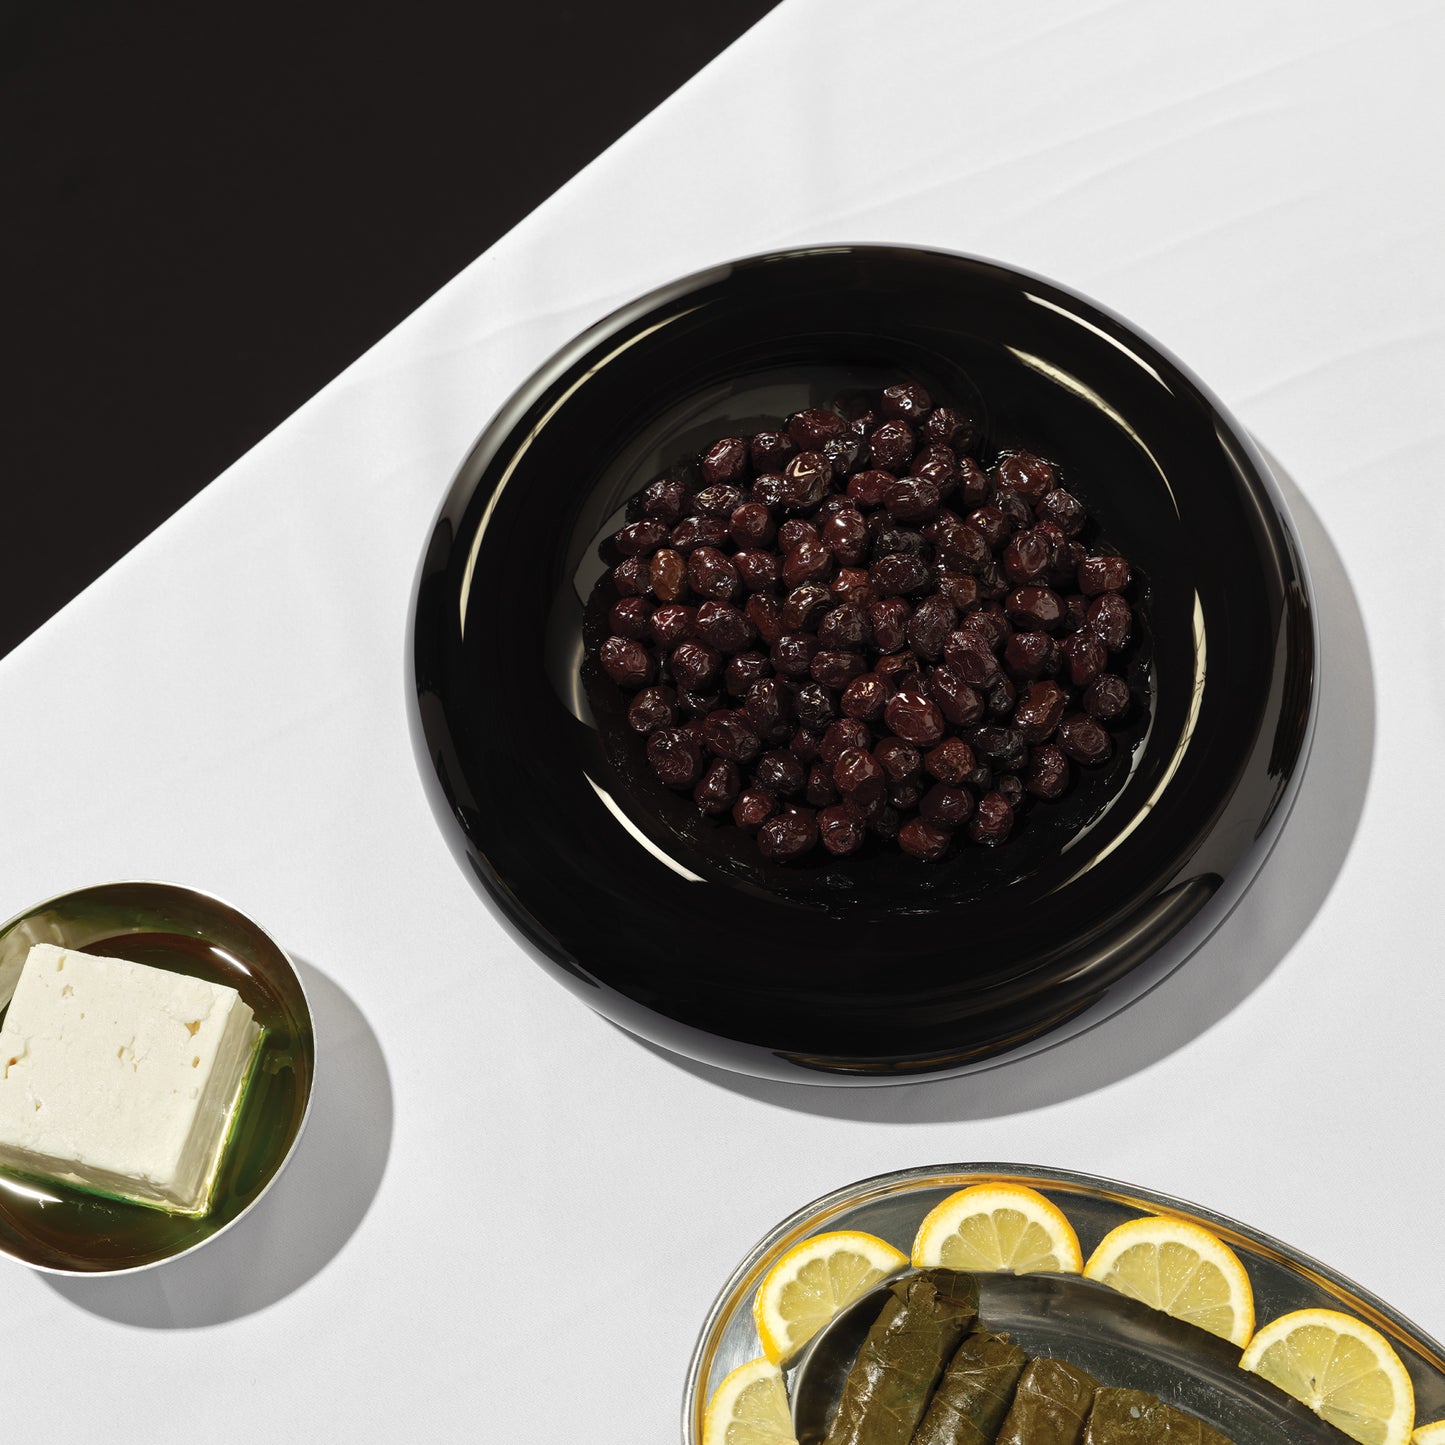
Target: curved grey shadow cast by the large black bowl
1256,937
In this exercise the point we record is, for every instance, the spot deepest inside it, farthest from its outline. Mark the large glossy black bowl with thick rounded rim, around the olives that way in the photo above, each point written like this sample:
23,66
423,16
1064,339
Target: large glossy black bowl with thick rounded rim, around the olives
875,967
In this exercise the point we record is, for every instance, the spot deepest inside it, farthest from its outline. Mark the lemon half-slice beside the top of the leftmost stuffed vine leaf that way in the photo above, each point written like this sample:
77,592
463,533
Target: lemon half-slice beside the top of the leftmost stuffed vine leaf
813,1282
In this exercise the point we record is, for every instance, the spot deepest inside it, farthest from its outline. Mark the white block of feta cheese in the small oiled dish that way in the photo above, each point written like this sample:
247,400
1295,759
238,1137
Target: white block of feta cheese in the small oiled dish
121,1079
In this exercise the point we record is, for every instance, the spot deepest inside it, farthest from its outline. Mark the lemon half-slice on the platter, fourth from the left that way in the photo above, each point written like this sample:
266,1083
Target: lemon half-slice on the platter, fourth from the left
1181,1269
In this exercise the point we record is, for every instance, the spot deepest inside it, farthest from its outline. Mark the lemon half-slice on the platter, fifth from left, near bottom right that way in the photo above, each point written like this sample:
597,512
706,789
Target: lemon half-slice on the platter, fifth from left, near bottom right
1342,1369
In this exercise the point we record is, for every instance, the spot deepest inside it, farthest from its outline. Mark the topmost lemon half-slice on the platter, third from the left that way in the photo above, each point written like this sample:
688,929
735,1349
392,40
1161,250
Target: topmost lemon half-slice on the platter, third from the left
998,1228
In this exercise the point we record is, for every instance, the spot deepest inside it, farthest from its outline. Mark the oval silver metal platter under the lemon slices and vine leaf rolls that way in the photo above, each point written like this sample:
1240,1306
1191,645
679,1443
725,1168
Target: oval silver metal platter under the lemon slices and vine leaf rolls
1118,1340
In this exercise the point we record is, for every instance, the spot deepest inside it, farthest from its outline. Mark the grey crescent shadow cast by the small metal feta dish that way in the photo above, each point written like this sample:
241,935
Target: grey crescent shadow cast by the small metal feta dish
307,1217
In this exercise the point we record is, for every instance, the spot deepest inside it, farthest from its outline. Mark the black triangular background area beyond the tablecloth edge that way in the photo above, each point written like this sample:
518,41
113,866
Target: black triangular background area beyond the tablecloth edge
209,215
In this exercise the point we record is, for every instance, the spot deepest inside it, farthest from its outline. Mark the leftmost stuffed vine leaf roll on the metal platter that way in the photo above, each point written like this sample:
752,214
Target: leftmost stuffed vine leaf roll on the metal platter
898,1366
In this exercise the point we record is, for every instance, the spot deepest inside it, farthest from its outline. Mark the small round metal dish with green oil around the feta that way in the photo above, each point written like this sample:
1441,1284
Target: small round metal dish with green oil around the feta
69,1232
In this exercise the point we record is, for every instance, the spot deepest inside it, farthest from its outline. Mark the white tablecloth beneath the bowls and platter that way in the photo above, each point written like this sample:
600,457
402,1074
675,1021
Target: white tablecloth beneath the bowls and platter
496,1181
